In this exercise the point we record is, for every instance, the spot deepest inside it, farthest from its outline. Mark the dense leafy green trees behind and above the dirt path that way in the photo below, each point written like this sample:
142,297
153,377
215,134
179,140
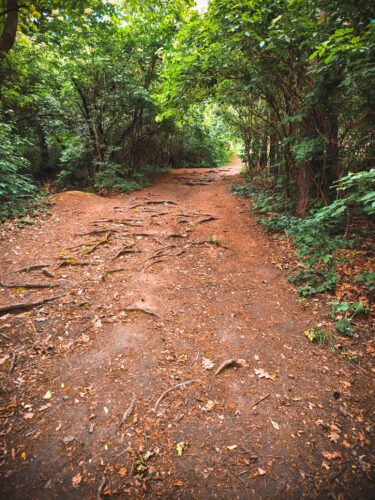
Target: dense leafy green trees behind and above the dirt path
104,94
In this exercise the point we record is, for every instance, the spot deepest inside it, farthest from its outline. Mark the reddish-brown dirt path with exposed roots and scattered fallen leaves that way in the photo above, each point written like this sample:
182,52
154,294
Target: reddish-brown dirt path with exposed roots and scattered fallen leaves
194,287
